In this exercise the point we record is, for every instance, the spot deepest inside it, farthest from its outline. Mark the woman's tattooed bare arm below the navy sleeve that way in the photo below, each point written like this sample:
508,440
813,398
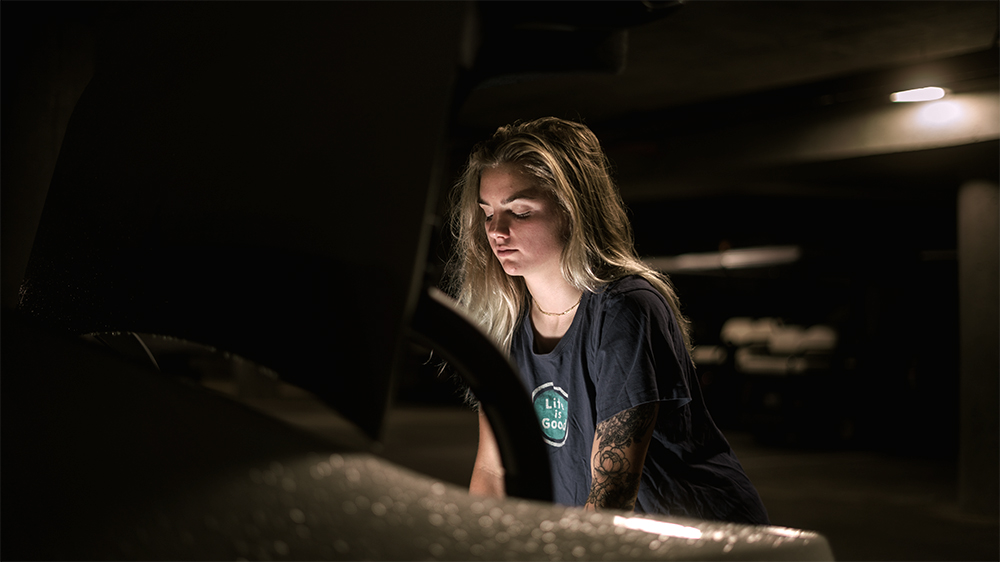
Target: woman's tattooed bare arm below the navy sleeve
620,445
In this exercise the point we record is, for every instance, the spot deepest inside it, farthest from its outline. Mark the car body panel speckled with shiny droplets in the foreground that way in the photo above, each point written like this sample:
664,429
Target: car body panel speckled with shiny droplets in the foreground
105,459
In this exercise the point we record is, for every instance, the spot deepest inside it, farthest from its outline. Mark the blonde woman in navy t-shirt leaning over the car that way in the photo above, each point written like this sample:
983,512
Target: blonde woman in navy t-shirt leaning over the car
545,262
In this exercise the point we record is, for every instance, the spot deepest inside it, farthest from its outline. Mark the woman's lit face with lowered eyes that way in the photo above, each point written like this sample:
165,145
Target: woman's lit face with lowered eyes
523,222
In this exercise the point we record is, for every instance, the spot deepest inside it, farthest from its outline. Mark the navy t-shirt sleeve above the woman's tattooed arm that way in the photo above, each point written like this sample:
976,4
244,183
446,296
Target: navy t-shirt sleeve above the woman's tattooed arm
639,350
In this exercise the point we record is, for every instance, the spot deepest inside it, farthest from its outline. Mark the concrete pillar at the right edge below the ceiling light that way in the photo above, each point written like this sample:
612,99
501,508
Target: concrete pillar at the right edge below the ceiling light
979,331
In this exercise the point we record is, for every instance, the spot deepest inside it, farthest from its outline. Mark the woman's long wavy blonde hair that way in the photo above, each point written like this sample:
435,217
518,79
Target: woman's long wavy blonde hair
567,160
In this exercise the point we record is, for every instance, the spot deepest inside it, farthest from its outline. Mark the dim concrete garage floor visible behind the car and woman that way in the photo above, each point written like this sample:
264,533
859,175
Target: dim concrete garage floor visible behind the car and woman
870,506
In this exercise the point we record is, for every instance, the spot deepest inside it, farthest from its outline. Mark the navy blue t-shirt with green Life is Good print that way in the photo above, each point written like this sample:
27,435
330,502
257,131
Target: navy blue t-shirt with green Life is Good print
624,349
